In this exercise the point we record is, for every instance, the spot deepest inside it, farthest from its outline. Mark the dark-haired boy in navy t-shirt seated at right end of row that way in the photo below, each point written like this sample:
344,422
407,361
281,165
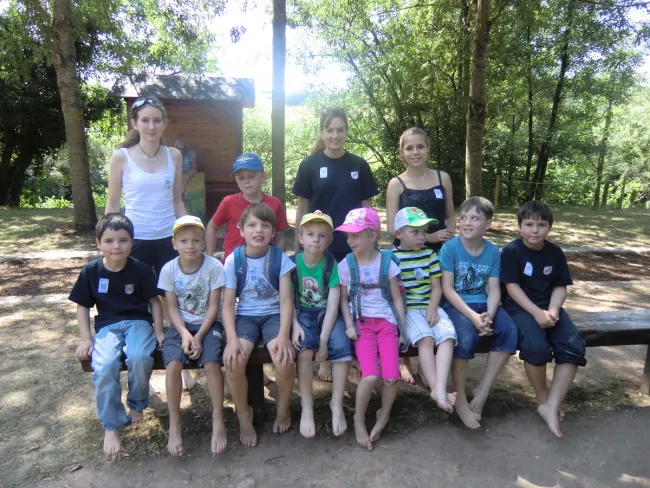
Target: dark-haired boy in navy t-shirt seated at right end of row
535,274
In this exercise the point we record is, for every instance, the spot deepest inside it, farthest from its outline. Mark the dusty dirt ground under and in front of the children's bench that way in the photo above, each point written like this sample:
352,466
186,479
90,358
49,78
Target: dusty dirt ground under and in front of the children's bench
49,435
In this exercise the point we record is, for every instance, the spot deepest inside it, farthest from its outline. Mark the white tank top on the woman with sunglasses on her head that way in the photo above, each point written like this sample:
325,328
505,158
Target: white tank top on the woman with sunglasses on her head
149,199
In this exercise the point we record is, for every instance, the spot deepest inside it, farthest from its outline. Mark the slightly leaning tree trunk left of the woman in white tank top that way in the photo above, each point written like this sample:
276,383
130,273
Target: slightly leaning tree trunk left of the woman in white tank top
65,63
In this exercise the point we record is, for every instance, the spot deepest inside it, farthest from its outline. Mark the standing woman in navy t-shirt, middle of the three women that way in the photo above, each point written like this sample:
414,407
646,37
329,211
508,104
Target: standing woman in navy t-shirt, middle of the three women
333,180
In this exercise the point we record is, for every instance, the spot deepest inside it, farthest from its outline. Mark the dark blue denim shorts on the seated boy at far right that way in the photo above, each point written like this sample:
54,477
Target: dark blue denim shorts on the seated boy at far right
539,346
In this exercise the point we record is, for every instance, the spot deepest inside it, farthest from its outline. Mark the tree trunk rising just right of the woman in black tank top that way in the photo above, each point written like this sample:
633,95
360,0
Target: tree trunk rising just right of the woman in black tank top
476,108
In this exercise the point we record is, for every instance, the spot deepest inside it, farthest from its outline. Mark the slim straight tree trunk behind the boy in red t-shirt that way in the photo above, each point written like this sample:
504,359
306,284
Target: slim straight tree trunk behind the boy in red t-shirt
277,104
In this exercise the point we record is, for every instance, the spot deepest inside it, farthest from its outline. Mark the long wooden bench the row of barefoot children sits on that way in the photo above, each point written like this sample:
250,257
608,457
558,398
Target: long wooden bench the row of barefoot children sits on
597,329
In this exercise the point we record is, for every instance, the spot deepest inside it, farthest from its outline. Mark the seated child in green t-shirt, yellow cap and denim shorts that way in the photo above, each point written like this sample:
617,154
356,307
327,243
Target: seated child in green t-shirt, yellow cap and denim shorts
317,325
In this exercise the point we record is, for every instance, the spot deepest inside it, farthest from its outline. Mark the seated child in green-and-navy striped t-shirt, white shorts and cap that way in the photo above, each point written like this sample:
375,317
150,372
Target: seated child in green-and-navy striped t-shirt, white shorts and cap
427,323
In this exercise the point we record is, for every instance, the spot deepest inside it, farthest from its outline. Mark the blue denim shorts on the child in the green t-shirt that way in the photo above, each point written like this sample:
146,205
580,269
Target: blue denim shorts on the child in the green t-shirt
339,345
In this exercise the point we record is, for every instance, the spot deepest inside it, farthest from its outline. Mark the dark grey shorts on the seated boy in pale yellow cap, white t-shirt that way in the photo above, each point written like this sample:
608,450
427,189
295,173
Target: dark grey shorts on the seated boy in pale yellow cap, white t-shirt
212,345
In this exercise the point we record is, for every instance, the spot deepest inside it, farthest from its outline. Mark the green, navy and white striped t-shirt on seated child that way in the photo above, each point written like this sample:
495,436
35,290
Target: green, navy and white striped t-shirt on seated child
416,270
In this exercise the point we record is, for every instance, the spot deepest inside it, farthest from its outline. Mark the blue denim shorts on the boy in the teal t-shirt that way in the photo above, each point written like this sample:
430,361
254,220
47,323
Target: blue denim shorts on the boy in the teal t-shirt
504,337
